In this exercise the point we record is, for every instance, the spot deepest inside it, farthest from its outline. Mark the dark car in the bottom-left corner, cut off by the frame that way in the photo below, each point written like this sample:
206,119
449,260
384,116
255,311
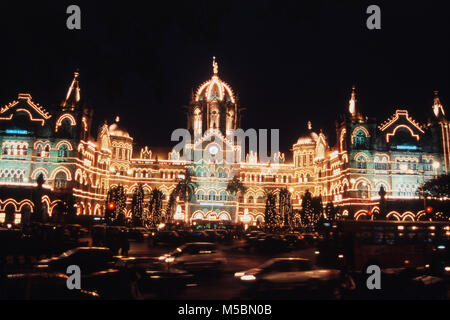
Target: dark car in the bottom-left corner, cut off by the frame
41,286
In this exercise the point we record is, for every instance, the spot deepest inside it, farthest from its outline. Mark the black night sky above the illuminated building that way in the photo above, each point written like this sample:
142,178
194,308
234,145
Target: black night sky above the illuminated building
290,61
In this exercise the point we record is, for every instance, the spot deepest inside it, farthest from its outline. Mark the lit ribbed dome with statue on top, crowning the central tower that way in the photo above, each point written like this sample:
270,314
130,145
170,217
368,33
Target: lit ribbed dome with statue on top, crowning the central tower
215,89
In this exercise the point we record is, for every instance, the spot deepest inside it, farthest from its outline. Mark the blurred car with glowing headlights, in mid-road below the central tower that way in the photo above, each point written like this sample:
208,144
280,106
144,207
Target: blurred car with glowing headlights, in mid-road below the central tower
195,256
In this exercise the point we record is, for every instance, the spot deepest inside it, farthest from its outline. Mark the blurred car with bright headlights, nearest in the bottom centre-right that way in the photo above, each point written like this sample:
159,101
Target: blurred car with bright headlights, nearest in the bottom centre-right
288,275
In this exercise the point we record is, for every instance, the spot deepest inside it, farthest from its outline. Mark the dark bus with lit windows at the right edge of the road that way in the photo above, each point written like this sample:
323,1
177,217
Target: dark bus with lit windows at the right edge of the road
354,245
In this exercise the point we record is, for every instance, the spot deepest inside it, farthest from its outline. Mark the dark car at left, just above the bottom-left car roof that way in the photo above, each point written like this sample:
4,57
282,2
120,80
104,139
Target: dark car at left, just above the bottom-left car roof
89,259
